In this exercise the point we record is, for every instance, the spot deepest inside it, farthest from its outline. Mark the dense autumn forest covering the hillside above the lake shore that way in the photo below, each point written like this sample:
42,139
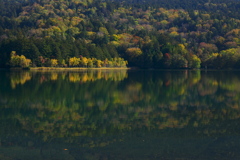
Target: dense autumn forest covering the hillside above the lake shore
145,34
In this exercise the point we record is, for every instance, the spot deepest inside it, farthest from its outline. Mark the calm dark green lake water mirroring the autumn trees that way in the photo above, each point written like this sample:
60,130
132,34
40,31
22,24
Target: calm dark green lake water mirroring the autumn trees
120,115
